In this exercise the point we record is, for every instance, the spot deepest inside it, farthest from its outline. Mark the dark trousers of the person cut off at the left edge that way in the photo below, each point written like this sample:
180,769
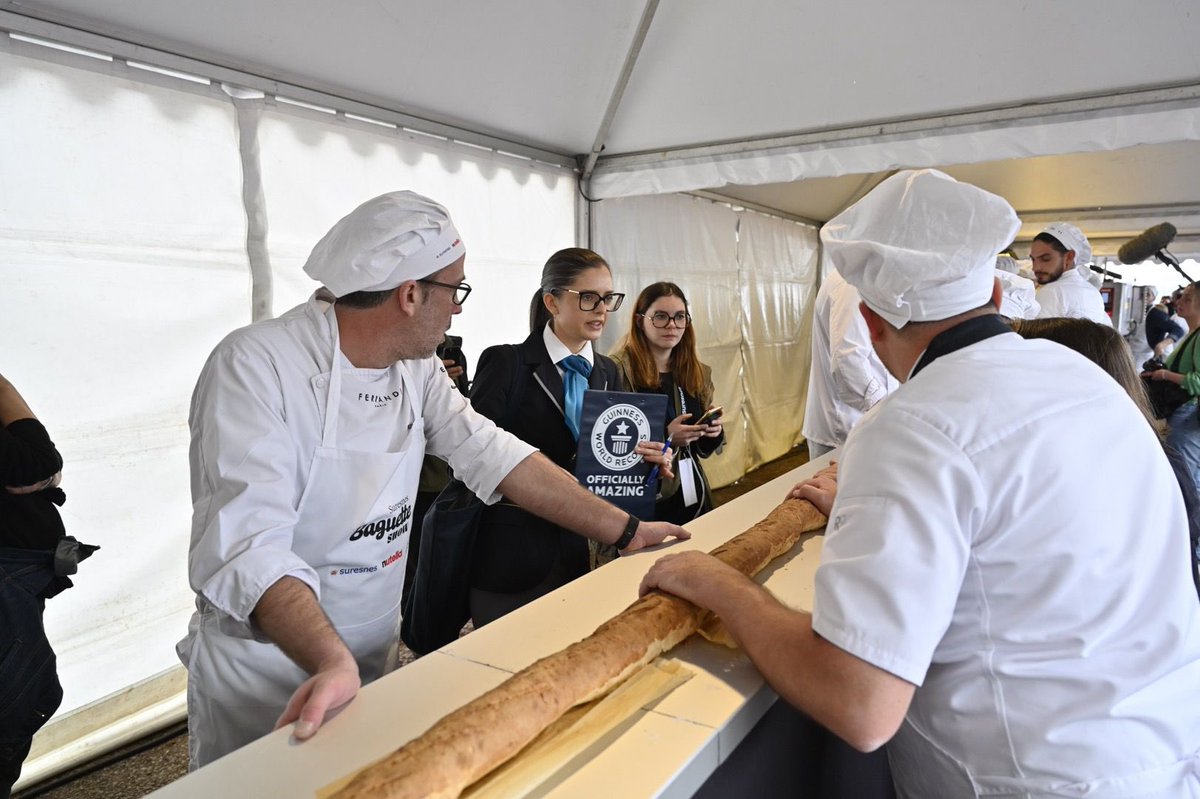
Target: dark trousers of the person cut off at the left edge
29,683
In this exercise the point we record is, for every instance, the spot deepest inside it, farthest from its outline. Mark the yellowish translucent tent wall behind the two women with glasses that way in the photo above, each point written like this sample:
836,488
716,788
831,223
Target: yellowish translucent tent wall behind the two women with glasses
749,295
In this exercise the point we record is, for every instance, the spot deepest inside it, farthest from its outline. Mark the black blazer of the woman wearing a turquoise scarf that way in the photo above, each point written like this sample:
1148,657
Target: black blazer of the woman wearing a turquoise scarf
520,389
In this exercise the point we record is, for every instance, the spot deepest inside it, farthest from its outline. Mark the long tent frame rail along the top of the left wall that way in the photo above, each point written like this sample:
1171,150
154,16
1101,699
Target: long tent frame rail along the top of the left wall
165,56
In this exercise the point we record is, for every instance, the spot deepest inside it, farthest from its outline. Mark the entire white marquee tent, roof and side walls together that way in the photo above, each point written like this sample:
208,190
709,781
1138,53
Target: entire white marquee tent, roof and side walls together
163,179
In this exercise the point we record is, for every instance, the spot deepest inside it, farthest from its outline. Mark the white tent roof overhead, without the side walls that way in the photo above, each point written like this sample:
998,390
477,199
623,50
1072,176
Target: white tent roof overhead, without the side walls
1094,109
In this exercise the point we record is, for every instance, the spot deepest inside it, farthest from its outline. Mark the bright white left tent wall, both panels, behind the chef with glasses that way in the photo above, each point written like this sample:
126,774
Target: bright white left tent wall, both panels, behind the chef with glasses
124,251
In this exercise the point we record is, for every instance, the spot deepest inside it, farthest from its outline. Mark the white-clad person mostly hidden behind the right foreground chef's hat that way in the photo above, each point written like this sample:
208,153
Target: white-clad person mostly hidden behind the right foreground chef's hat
847,379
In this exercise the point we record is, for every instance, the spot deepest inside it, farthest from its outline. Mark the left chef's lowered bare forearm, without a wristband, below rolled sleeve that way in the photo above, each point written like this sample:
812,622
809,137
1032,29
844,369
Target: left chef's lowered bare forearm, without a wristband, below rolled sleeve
290,615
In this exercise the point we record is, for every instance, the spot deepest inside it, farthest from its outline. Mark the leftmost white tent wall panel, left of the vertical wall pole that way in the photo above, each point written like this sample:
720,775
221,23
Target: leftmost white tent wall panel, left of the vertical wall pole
123,265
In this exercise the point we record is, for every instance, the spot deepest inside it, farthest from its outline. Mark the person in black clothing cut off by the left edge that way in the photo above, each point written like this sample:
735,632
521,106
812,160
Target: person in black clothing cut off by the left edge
31,532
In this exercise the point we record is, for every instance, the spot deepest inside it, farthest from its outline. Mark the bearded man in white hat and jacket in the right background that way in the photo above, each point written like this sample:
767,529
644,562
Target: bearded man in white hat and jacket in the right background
1061,256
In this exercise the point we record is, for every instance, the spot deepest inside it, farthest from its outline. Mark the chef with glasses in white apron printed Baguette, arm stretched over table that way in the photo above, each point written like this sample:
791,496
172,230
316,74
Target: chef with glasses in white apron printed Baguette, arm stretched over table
308,438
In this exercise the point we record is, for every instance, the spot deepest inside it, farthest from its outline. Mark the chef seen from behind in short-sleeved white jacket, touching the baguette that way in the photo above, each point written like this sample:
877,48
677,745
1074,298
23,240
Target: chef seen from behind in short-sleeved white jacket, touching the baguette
1013,628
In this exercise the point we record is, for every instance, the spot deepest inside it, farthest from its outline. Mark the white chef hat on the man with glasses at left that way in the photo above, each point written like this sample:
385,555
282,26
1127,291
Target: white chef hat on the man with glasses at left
394,238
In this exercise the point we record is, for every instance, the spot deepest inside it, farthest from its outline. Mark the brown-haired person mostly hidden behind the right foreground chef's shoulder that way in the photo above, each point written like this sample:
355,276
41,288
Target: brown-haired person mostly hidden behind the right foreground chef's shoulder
1106,347
